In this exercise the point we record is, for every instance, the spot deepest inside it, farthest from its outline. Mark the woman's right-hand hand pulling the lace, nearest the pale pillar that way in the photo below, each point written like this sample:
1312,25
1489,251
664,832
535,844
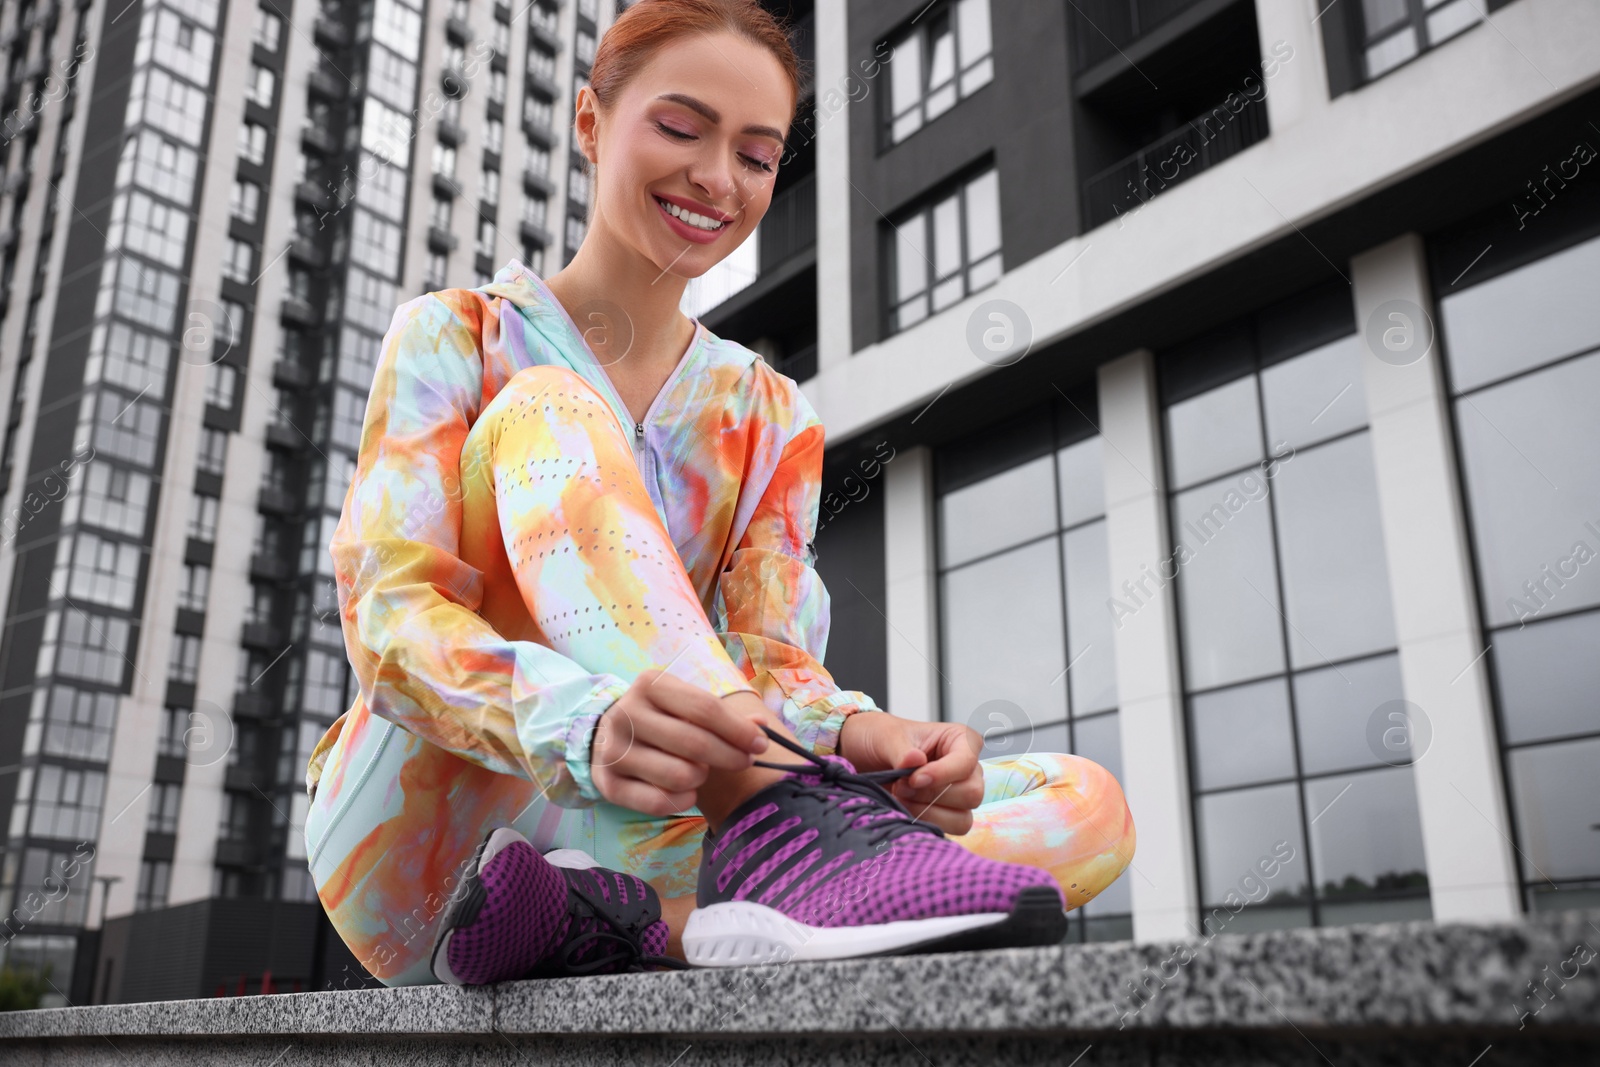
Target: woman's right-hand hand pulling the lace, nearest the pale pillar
948,783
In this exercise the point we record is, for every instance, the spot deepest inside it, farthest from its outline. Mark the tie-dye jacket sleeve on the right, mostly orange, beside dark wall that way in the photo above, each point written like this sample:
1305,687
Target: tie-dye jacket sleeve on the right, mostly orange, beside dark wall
772,605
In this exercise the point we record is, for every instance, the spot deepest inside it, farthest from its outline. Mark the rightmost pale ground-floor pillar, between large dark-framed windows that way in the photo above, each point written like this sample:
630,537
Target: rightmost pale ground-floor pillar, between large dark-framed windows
1466,828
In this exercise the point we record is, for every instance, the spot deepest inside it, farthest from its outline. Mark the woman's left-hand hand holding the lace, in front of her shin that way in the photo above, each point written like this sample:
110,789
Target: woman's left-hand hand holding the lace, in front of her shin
655,746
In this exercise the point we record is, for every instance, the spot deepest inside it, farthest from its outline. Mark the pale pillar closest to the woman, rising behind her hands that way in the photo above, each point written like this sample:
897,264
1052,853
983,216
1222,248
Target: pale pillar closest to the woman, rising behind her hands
911,583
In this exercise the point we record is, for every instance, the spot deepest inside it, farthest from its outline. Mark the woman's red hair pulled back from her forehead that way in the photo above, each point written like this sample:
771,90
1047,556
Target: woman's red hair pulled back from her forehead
644,28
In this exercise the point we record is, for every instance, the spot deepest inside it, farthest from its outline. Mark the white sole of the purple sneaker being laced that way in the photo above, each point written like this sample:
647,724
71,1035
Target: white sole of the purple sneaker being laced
740,933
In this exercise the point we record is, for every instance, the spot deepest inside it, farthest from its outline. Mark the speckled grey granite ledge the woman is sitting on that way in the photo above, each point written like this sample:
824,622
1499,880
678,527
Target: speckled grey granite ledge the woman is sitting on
1388,978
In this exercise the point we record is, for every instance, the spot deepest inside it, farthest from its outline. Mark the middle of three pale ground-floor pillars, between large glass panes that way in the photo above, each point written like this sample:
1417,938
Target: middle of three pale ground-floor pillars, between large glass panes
1154,749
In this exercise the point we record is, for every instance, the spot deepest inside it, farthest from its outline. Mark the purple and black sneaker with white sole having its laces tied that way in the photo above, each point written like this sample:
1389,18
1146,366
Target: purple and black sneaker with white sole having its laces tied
828,865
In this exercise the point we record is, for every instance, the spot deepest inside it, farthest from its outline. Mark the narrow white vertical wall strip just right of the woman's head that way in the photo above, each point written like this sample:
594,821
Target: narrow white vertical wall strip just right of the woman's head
833,186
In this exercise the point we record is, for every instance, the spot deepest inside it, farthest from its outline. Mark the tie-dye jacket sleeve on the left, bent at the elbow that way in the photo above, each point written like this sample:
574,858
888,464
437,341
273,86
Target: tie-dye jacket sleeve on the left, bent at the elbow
425,658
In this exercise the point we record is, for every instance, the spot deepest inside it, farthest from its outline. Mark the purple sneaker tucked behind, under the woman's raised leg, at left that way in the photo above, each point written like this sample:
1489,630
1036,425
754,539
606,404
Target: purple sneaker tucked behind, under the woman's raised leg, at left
519,914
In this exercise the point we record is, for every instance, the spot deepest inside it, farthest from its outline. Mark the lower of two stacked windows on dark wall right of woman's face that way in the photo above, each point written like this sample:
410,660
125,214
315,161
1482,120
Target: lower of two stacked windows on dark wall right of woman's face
946,252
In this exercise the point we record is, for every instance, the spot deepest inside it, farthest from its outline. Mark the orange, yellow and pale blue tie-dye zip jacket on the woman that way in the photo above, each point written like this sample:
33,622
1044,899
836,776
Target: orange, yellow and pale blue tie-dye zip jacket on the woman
737,455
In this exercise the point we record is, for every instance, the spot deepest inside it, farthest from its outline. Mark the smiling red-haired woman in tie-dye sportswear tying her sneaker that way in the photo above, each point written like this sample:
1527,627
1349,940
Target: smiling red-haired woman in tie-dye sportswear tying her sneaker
577,589
